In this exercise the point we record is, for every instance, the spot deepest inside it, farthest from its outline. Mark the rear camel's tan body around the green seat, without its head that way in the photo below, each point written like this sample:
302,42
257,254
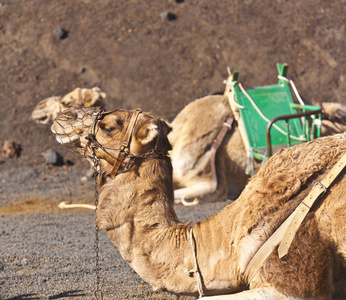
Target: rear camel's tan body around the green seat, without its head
194,130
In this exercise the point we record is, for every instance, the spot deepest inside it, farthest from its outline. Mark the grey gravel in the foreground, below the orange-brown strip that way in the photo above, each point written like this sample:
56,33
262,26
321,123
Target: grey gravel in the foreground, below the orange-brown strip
52,256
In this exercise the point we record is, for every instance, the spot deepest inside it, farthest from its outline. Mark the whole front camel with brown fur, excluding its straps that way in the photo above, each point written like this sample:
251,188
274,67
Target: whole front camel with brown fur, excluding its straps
136,208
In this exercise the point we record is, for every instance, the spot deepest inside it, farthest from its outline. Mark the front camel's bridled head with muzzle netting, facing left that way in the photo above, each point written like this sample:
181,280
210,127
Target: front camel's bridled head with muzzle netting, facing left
112,136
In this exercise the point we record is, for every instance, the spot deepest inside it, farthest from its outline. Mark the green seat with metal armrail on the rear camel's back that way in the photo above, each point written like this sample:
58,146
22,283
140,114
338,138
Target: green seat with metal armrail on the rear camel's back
268,117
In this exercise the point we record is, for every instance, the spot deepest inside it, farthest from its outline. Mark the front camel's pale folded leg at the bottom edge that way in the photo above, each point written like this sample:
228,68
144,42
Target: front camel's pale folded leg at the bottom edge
255,294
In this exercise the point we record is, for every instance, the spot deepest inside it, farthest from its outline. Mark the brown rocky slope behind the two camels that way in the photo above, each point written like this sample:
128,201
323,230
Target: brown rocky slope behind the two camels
142,58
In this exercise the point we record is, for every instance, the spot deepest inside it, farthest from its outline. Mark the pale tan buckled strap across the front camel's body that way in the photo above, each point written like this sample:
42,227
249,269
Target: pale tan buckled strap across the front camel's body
288,229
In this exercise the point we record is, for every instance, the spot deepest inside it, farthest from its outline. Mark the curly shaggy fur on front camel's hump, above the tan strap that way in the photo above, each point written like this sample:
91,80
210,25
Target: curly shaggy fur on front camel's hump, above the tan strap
284,173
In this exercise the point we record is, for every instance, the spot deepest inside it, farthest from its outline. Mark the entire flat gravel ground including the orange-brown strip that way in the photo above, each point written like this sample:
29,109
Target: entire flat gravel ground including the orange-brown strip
48,253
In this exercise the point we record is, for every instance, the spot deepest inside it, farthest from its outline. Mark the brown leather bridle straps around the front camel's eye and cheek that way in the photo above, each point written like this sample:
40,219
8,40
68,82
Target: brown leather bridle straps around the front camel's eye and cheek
124,149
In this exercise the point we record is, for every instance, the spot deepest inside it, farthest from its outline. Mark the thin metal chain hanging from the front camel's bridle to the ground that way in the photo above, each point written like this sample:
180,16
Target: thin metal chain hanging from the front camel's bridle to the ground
97,293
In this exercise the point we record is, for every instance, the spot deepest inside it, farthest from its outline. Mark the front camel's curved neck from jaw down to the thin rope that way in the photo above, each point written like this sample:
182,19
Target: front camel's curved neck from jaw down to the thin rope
143,226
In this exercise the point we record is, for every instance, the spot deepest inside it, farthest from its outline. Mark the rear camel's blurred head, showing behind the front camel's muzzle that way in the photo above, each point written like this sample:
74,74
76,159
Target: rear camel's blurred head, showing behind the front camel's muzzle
47,109
